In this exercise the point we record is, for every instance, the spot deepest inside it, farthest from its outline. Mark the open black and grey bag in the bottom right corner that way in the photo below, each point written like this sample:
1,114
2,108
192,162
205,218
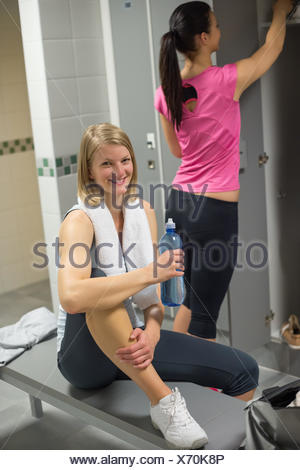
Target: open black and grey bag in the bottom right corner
270,425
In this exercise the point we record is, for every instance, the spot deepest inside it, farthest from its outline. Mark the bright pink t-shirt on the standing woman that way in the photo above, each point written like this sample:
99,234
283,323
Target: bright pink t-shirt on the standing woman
209,136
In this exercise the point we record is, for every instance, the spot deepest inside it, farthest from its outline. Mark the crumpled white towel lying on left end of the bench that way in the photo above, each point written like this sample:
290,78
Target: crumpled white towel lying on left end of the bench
32,328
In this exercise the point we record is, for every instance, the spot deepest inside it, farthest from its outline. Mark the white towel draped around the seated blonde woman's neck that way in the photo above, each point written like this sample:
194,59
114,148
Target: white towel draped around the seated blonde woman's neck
136,250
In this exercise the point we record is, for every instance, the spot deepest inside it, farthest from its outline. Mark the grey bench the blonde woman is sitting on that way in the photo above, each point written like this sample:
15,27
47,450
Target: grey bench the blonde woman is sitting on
121,409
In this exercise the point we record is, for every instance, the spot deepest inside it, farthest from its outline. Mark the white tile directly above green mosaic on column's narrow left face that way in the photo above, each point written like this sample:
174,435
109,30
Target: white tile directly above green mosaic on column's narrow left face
42,137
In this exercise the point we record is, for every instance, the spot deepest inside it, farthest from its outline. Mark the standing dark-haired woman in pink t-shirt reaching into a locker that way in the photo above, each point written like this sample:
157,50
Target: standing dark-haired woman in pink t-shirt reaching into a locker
200,116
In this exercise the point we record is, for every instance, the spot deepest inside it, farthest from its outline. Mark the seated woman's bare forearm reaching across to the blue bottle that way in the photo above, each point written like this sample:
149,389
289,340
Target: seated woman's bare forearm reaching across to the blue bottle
106,292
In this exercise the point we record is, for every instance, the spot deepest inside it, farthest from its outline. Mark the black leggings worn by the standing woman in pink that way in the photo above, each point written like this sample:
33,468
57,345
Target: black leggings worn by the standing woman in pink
208,228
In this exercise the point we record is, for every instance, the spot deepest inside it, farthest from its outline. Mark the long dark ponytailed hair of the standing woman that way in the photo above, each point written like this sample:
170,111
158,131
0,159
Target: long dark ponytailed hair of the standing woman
186,21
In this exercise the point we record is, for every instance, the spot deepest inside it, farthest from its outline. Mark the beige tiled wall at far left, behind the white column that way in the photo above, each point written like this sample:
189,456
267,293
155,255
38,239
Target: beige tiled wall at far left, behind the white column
20,211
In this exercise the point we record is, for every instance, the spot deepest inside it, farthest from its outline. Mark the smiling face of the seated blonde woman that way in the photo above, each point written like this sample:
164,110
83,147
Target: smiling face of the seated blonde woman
112,169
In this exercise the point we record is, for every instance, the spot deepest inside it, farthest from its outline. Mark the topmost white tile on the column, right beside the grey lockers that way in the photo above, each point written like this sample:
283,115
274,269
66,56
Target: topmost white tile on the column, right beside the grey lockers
86,19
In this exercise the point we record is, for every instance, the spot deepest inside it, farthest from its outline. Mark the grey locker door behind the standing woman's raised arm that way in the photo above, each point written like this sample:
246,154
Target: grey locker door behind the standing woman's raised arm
249,291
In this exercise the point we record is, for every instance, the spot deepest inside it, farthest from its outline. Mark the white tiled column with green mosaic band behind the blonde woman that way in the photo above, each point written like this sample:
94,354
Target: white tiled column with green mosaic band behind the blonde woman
66,78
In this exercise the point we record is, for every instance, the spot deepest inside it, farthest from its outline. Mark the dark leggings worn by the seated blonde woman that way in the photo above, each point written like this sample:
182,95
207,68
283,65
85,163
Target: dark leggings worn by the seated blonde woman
178,357
